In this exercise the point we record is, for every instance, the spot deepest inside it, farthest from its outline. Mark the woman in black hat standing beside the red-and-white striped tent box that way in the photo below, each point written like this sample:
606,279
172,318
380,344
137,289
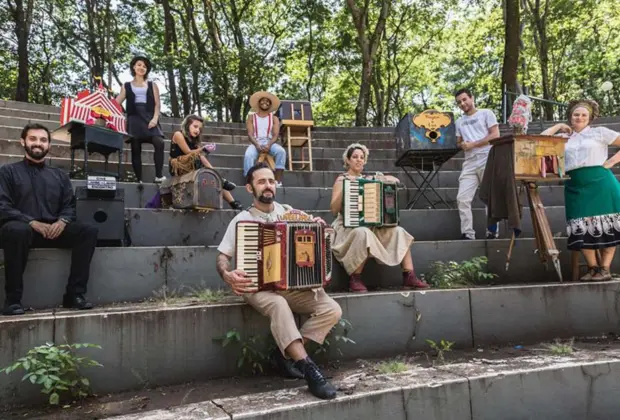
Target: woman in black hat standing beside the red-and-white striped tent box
143,106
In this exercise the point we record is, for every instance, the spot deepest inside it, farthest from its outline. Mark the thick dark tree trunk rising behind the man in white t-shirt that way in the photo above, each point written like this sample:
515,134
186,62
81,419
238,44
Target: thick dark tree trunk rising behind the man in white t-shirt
512,44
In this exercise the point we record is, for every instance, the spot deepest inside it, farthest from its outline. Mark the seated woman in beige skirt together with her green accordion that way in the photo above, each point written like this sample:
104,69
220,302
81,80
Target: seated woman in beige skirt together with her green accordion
367,222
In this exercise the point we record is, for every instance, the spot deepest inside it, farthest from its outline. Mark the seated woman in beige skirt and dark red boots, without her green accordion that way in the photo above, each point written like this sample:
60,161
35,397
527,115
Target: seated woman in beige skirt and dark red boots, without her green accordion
353,246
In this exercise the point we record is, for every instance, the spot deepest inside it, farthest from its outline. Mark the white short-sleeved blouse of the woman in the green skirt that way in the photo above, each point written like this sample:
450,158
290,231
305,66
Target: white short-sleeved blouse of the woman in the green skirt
589,147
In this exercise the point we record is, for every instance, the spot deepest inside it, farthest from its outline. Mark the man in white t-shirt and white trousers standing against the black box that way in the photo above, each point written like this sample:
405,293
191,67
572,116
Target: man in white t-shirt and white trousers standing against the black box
474,130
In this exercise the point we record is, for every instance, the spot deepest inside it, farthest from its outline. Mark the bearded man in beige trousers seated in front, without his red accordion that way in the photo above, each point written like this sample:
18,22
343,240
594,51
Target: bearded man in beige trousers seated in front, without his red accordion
323,311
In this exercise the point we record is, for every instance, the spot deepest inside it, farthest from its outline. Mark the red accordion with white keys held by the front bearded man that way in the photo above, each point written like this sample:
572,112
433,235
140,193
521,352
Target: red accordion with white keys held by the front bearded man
284,255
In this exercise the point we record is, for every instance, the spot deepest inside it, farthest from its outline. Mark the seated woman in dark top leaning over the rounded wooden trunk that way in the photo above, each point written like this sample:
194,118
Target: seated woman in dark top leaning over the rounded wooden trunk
188,154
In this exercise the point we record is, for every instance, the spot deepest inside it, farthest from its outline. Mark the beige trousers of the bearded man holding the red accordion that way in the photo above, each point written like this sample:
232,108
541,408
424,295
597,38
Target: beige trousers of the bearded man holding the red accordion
279,306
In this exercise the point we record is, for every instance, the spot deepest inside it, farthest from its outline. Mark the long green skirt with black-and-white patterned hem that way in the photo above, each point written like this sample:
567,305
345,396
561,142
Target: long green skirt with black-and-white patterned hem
592,203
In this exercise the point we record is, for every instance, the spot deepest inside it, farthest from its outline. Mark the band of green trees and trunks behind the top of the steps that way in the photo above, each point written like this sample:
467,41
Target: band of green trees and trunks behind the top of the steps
358,62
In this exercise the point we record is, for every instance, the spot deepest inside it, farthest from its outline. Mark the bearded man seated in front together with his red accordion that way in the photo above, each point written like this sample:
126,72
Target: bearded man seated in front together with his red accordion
282,260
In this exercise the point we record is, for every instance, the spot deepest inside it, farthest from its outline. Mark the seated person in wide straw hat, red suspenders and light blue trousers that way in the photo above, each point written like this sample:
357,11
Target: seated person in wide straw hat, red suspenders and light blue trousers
263,128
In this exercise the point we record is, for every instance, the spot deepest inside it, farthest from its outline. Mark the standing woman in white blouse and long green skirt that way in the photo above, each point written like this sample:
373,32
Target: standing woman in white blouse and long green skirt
592,194
